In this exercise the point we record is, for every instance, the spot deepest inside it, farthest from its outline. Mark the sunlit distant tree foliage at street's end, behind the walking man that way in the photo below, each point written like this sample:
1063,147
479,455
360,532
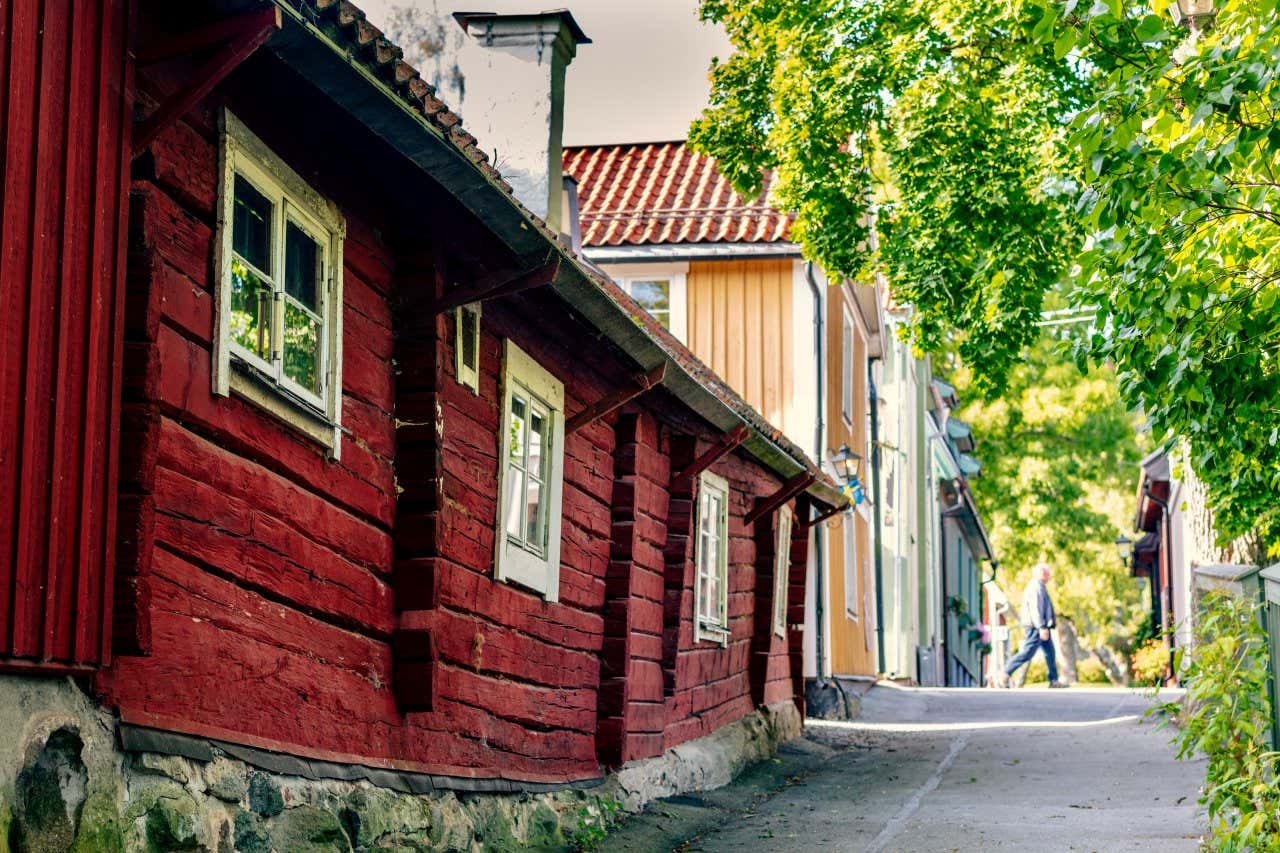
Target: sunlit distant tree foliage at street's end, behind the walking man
1059,457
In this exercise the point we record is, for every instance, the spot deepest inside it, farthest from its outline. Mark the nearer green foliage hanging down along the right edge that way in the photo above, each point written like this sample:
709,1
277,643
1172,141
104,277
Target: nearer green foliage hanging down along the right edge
1180,156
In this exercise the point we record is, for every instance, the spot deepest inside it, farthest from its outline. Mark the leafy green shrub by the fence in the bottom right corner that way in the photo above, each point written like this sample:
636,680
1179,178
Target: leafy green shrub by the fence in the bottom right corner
1227,717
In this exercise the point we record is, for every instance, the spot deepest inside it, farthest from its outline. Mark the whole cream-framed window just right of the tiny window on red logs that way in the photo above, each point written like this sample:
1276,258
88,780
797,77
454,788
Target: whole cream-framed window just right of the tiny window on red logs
532,475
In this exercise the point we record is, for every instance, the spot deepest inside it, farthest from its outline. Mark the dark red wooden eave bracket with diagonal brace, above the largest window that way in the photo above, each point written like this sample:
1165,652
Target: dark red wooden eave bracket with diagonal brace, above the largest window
236,40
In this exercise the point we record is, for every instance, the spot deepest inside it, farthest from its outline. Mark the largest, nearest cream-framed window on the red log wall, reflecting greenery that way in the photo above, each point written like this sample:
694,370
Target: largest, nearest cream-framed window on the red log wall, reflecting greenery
280,289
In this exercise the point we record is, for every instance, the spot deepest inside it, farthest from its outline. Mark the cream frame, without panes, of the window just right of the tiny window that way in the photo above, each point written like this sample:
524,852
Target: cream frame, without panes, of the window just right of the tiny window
514,562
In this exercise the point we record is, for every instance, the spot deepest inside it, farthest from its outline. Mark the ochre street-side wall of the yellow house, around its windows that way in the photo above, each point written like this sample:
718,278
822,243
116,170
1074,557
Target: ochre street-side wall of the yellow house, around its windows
853,640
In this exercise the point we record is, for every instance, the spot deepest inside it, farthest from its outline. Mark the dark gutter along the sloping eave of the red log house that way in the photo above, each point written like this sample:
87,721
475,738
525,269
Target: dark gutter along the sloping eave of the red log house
340,74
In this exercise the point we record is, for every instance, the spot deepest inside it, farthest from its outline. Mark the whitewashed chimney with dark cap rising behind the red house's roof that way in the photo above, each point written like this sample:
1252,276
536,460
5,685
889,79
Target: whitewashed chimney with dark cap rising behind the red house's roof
514,71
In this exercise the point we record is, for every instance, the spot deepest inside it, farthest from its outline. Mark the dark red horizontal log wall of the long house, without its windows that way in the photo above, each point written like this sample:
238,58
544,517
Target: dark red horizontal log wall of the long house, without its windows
348,610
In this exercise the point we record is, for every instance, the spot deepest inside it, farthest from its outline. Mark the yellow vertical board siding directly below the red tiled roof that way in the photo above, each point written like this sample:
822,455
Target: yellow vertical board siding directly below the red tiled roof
740,325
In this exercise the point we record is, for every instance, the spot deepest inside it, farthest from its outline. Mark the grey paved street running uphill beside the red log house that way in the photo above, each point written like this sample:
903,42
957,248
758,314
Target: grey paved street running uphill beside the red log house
954,770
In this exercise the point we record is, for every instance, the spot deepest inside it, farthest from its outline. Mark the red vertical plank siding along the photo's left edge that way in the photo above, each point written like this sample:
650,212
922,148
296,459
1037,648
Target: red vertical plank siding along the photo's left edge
66,118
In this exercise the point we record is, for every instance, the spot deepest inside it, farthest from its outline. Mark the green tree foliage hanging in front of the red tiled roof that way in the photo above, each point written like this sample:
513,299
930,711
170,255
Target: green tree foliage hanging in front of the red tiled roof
941,121
